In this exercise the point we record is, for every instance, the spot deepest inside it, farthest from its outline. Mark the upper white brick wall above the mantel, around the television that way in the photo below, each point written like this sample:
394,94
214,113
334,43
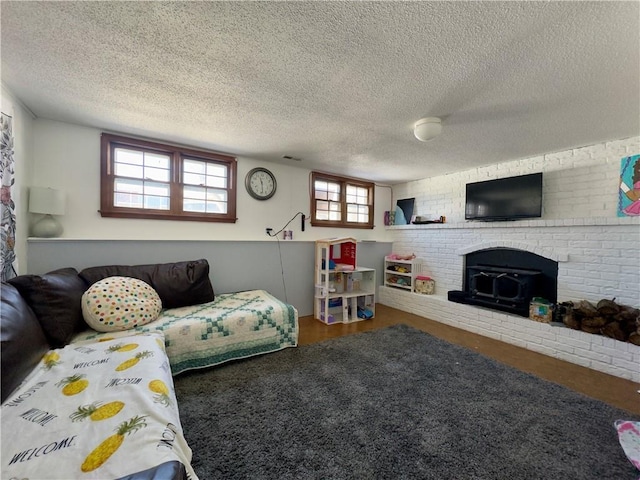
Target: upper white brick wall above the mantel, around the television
577,184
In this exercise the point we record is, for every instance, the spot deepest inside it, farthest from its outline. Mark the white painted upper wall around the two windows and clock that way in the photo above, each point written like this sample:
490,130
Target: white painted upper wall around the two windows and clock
67,157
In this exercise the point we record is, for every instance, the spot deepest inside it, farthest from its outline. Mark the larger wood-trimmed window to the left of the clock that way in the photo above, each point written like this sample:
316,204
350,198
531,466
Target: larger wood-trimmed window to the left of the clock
143,179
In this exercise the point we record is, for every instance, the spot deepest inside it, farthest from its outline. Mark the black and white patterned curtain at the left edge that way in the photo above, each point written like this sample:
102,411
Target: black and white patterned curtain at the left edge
7,214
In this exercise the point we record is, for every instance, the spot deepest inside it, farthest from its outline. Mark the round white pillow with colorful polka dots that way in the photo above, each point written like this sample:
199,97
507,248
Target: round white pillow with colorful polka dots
120,303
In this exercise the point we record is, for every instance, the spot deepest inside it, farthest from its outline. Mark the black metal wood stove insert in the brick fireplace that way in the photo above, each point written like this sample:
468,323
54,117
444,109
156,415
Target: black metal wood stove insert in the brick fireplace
507,279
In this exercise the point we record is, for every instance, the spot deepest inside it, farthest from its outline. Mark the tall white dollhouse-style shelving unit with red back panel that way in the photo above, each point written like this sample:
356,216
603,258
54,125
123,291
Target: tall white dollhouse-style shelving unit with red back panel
344,293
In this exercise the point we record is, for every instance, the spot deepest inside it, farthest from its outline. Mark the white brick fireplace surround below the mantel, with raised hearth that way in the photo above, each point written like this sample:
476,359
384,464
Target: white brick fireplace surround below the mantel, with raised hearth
588,267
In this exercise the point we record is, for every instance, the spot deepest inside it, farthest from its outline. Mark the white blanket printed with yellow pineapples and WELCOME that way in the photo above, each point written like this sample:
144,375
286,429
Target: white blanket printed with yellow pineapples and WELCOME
96,410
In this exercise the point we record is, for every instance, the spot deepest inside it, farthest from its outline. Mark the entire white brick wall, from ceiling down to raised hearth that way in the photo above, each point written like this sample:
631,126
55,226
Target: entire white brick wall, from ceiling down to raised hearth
598,252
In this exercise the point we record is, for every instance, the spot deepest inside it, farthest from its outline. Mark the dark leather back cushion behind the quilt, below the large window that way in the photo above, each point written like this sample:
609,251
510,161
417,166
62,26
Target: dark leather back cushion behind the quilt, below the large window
179,284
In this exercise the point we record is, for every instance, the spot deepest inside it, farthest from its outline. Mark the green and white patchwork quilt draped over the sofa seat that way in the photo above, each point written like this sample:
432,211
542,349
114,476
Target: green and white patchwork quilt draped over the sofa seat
233,326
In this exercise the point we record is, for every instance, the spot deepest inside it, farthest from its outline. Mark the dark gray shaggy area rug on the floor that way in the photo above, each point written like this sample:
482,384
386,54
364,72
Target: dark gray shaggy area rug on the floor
394,403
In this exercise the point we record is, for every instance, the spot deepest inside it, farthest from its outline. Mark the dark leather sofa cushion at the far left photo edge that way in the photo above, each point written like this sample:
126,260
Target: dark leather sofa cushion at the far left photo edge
22,340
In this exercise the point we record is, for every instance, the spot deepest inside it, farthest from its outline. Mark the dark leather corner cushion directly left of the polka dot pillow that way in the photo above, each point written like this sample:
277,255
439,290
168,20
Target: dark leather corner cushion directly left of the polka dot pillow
55,299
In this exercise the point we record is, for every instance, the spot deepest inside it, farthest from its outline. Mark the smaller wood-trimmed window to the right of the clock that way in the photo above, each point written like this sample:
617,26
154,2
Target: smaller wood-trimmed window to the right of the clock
341,201
